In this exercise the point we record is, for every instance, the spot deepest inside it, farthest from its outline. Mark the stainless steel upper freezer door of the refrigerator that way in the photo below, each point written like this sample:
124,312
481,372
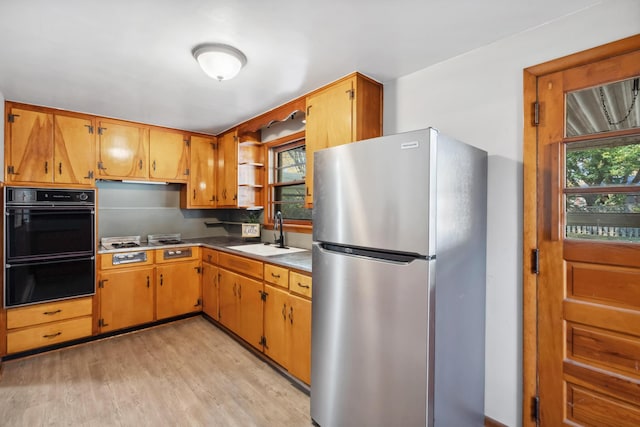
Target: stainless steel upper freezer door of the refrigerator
377,193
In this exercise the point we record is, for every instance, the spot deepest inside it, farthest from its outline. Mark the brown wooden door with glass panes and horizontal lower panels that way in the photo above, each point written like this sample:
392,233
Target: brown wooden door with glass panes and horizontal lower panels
588,294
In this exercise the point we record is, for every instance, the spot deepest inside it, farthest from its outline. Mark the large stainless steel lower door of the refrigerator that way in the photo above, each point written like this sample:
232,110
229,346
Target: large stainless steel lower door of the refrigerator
371,352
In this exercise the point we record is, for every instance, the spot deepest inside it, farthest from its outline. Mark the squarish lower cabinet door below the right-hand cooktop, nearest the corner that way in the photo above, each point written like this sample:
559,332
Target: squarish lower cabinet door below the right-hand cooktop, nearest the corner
179,289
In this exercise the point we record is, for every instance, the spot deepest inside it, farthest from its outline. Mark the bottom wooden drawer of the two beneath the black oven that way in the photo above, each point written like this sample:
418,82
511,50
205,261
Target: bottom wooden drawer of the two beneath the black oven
48,334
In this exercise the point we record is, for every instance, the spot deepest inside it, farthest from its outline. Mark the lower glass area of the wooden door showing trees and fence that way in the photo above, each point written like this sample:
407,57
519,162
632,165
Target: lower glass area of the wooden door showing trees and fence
602,189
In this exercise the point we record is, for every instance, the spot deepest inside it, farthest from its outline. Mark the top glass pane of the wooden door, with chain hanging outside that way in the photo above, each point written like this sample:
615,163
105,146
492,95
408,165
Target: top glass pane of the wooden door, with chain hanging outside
605,108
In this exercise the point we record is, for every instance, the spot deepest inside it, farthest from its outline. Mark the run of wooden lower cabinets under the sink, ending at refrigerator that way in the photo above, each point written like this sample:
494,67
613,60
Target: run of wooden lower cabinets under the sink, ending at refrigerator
266,305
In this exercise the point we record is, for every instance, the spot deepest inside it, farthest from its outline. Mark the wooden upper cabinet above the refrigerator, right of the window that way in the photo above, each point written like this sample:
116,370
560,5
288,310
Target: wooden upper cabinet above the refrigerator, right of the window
345,111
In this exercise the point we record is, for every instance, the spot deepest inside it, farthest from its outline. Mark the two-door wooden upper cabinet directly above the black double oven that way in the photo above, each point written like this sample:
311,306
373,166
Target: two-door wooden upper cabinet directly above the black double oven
47,147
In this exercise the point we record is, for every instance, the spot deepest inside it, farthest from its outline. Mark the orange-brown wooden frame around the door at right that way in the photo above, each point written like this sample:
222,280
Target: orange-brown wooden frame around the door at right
530,195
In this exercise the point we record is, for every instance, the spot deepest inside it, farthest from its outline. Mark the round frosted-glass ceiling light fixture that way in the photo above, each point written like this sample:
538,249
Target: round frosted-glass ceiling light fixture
219,61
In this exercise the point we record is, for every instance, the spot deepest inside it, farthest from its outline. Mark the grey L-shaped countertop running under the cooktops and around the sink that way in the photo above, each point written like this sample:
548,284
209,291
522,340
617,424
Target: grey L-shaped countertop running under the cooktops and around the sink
297,260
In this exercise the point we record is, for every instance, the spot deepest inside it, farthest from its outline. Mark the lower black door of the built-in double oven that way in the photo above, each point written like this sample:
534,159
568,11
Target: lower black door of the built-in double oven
38,281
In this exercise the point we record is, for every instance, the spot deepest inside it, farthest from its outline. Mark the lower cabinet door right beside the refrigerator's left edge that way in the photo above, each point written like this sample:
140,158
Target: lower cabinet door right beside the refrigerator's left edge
299,338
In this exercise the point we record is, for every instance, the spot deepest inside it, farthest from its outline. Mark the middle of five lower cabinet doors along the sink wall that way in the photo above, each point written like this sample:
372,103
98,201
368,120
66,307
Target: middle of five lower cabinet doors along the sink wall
251,317
